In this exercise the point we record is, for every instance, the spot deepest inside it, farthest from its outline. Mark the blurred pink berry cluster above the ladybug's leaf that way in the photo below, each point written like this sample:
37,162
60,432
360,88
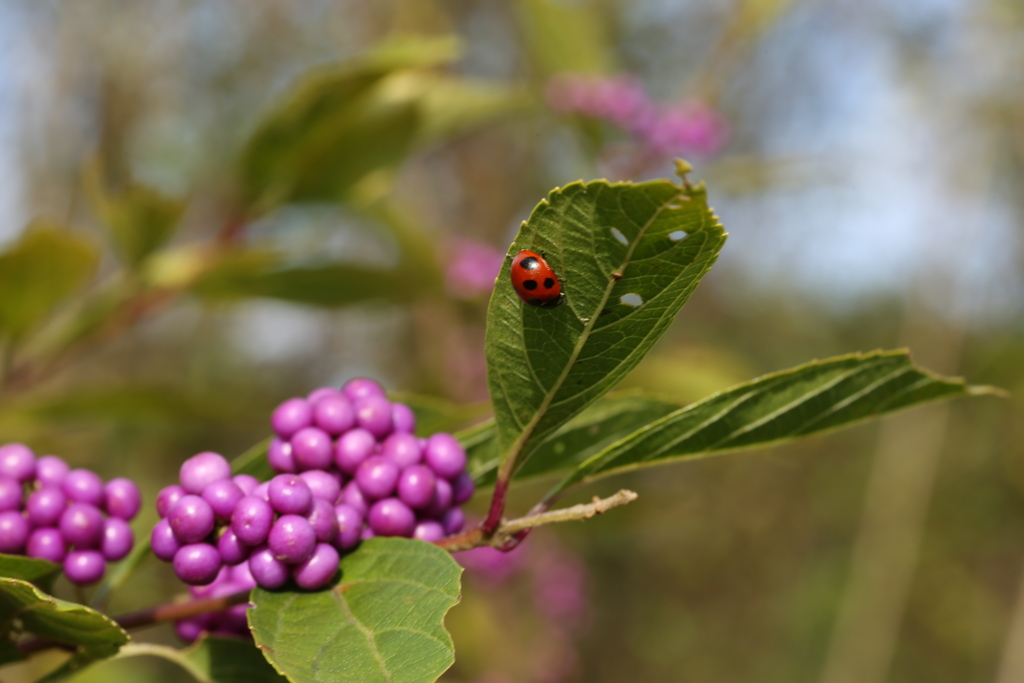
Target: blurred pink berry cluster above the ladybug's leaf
691,129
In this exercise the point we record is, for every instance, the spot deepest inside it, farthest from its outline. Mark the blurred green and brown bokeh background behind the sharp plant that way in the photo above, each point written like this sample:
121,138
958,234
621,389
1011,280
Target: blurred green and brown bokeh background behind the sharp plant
252,199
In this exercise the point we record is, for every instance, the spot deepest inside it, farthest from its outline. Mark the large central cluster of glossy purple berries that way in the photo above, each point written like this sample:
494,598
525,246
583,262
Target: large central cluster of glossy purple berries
350,468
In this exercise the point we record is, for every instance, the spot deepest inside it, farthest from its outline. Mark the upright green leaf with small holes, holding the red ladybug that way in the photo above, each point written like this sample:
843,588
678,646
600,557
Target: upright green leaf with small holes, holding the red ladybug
630,257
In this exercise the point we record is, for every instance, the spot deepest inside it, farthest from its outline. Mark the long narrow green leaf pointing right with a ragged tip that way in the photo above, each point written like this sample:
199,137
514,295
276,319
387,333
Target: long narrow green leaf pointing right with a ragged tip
819,397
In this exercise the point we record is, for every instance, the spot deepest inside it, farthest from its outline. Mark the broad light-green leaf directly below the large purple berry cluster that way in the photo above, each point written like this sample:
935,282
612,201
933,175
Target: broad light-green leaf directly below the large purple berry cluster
381,621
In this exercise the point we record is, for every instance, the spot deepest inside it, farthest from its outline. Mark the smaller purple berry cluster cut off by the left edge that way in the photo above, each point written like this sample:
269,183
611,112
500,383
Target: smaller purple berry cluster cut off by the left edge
52,513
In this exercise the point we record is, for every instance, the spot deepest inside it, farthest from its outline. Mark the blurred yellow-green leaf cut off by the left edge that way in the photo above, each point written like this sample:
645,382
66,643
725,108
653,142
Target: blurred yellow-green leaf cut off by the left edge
39,273
